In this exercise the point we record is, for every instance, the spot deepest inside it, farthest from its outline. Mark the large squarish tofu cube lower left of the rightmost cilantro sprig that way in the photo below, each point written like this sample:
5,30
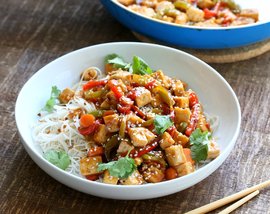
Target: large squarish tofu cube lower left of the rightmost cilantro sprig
175,155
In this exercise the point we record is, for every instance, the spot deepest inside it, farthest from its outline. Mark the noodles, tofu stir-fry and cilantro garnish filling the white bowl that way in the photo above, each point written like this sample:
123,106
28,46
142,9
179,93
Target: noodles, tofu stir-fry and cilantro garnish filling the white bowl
128,125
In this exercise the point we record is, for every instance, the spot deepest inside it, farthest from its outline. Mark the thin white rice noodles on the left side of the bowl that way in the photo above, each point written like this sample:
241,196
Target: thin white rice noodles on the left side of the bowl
55,131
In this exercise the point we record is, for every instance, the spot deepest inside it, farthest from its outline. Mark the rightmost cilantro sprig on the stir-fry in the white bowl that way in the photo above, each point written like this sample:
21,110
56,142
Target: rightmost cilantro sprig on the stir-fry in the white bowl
199,144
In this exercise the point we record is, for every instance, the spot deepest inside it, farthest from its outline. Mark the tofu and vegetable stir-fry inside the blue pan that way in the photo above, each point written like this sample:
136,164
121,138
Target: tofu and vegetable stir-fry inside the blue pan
205,13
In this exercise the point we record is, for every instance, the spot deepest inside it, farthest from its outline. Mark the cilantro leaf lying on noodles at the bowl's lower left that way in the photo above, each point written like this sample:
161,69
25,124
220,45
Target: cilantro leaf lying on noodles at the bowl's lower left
59,159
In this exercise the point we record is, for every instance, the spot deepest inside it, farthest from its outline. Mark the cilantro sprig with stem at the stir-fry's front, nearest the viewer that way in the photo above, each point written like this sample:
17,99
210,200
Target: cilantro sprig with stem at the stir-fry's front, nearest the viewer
122,168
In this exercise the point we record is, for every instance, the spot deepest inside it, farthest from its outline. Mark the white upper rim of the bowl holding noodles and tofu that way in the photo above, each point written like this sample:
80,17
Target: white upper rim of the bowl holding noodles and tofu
49,165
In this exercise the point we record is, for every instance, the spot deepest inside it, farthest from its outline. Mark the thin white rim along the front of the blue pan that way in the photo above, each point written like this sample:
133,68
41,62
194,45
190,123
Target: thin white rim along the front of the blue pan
117,4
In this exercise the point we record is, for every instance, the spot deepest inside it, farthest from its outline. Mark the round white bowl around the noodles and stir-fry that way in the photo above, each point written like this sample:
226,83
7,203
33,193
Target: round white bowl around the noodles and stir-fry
214,92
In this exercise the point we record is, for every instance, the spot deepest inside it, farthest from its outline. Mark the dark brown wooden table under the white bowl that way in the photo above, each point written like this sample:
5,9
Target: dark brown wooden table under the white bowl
34,32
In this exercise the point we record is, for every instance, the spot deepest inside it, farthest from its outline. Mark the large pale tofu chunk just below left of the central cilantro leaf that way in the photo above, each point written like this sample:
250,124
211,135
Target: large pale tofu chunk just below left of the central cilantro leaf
140,136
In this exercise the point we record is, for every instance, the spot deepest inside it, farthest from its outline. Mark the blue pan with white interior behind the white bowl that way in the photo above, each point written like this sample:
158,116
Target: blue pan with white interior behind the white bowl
196,37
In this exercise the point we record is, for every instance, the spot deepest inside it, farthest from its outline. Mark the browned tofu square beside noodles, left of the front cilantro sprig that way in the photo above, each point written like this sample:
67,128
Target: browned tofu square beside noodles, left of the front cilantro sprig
89,165
